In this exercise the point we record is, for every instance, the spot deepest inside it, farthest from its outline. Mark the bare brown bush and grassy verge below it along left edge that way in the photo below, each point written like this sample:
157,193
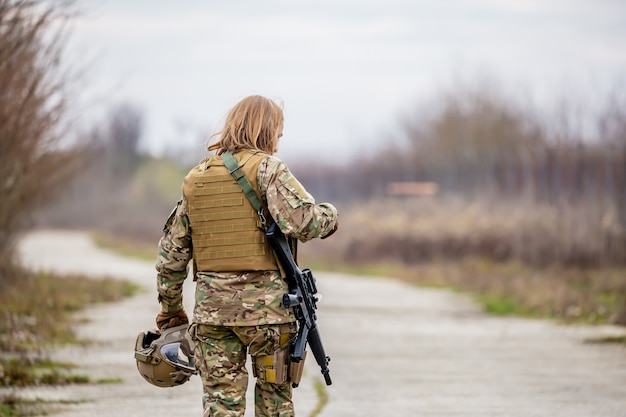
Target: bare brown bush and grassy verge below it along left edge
38,156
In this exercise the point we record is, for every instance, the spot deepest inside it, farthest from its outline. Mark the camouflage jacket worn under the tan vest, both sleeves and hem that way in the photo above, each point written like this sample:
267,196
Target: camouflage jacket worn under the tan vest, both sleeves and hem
241,298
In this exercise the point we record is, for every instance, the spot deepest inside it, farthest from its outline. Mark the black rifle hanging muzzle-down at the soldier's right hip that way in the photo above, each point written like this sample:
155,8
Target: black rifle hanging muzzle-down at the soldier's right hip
302,298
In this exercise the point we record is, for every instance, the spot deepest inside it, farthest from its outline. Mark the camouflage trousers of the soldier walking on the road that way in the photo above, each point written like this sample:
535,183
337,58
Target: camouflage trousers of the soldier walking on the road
220,357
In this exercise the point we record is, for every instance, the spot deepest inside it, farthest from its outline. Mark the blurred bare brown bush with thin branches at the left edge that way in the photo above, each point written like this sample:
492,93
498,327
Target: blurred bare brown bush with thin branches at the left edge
32,103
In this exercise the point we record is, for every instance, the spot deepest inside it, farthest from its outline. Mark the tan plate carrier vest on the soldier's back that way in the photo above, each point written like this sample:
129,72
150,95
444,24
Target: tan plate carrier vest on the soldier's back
226,230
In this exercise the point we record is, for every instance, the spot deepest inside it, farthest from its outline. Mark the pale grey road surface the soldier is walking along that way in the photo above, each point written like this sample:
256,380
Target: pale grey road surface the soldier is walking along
396,350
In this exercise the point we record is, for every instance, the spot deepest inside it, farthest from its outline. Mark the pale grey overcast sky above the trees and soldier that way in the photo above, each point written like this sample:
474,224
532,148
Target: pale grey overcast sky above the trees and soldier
345,70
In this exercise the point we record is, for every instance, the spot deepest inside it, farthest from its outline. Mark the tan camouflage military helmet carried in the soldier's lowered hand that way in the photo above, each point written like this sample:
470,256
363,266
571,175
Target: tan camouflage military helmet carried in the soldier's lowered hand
165,359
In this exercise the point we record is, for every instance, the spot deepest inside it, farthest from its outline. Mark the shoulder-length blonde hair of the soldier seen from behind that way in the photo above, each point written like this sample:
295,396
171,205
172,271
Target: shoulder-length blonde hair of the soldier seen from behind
254,123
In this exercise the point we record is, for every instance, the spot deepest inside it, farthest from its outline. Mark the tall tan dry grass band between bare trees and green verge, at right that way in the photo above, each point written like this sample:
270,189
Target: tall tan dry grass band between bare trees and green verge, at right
417,230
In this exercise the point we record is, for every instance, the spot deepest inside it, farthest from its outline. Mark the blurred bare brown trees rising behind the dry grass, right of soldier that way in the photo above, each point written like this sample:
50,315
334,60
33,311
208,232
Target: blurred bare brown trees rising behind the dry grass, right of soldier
476,144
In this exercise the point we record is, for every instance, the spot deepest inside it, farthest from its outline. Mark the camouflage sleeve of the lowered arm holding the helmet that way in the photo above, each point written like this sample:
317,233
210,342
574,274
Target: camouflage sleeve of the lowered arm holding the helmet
175,252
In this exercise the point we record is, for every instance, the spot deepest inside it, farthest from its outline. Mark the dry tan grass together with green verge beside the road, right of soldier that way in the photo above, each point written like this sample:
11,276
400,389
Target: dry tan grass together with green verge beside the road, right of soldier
517,259
